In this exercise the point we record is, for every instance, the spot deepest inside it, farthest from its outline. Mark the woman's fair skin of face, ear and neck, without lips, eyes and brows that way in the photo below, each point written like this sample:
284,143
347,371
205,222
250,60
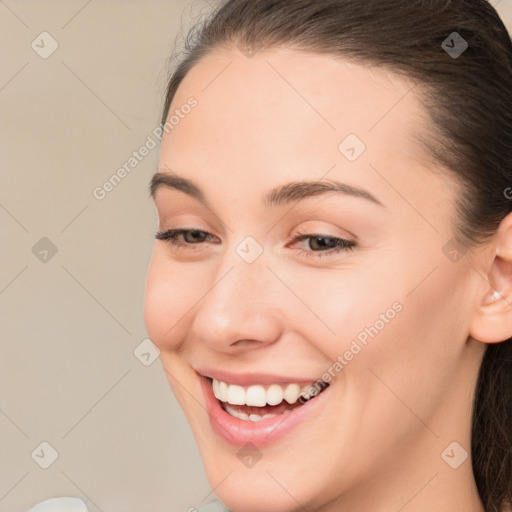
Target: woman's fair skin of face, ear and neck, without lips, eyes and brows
375,442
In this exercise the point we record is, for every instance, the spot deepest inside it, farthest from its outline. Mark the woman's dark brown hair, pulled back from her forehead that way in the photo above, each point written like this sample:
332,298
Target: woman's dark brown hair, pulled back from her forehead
469,101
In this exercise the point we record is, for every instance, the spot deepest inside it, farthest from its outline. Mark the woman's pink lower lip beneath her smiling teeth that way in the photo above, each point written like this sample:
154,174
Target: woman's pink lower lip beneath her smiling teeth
259,433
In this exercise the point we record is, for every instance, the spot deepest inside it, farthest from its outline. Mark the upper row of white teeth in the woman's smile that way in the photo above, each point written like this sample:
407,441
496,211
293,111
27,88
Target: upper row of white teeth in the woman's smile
257,396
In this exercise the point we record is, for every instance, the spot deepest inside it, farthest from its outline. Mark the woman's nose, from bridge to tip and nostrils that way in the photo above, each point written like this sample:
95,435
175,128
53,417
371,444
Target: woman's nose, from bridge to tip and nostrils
241,309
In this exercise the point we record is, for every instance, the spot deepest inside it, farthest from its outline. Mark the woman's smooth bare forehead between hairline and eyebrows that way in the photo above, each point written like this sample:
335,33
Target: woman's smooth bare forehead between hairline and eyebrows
281,114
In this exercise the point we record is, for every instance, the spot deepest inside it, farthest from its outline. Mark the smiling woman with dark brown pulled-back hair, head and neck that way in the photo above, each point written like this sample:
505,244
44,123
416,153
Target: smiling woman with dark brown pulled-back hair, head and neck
331,284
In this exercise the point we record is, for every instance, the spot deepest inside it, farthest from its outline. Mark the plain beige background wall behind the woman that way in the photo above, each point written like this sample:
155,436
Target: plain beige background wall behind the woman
70,324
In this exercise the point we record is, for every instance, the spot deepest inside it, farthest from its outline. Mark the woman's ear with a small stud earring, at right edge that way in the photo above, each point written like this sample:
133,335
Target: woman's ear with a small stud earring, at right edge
492,319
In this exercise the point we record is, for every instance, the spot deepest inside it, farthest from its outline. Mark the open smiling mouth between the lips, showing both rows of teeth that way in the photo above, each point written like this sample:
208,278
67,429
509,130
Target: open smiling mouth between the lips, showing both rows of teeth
260,402
